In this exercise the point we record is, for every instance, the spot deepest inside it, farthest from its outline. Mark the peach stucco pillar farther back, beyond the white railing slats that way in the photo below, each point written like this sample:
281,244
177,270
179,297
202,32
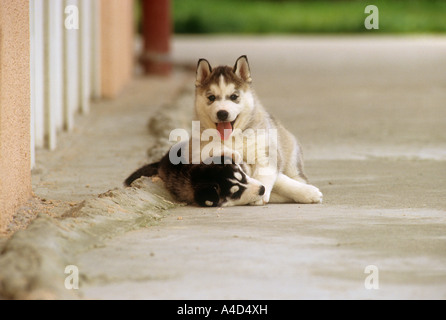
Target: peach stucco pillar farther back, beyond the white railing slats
117,29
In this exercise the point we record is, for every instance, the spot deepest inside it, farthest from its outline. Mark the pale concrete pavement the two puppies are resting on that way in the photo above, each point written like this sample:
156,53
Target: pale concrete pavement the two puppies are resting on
370,114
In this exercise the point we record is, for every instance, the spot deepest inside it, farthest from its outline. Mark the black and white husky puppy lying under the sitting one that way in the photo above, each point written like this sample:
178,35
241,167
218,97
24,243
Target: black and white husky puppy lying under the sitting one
219,183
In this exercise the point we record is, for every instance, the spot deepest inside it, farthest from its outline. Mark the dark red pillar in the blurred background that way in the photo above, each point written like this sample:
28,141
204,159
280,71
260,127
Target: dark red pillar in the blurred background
156,34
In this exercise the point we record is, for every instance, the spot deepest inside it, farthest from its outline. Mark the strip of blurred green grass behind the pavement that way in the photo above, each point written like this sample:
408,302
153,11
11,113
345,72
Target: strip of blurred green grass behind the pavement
341,16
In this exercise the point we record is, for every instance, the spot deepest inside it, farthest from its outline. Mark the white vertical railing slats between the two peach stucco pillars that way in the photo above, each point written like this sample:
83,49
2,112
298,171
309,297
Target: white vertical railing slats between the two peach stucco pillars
65,66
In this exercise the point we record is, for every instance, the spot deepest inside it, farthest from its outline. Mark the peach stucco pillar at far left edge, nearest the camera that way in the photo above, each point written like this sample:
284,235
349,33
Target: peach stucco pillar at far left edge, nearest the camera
15,172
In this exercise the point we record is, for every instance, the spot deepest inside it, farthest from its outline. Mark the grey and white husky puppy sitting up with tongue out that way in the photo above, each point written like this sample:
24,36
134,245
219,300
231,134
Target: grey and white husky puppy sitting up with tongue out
225,101
